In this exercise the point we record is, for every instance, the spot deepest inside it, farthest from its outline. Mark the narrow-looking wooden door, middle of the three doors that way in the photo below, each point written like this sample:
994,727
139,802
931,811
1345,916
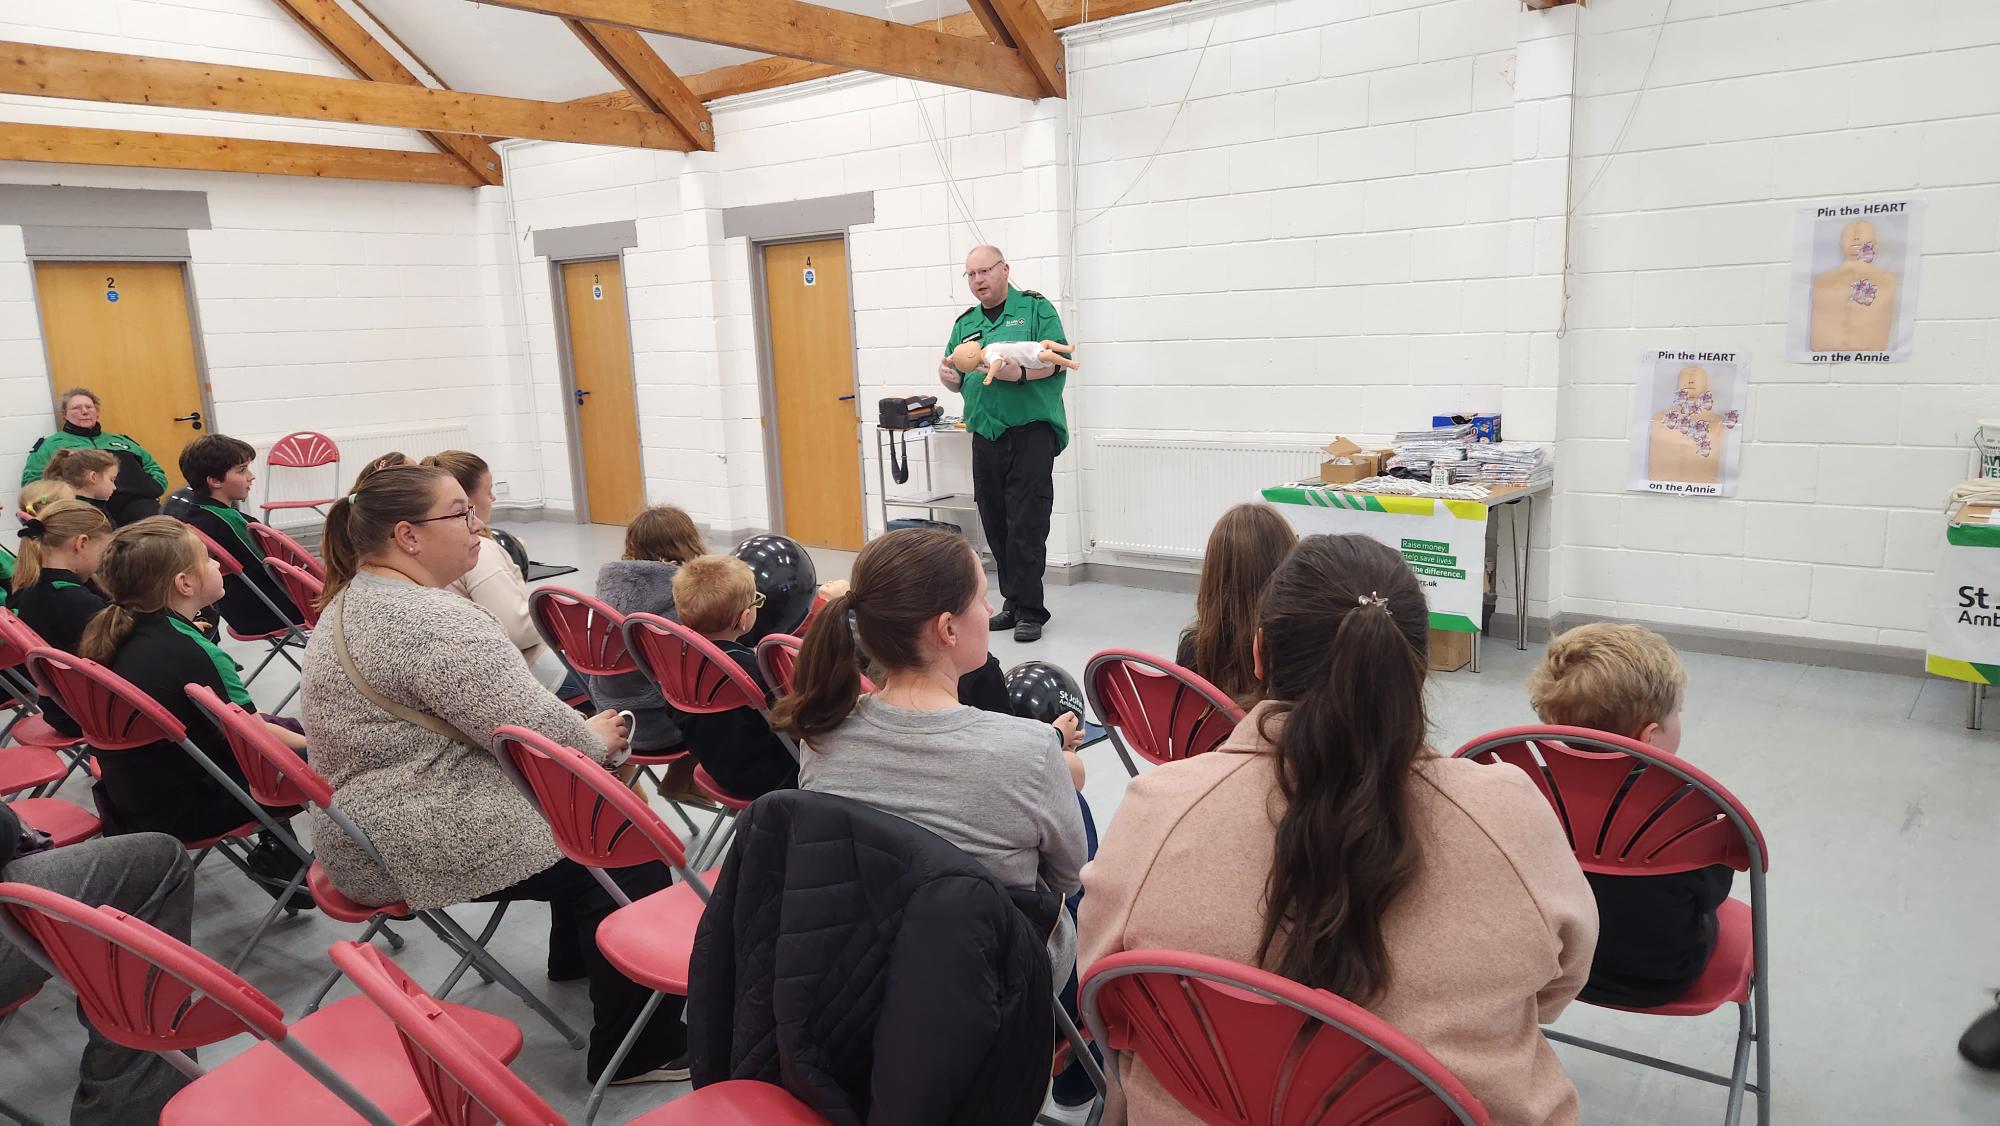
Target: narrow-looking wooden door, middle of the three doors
603,397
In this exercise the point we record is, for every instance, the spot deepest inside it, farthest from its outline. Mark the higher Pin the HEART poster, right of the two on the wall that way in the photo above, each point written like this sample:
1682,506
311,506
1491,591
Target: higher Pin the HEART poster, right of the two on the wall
1855,269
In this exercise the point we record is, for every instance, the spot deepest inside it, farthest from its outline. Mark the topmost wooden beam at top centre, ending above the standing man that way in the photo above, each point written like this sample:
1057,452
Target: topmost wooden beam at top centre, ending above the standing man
815,35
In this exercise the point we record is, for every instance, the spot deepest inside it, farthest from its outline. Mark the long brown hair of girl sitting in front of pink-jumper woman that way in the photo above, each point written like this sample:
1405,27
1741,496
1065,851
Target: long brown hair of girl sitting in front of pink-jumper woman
1243,553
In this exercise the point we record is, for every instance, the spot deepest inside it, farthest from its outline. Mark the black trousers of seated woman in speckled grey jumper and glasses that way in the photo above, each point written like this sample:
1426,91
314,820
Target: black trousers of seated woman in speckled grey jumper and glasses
577,905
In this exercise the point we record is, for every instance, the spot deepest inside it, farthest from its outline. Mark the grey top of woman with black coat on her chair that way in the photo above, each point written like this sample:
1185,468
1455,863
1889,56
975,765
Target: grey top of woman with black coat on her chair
991,785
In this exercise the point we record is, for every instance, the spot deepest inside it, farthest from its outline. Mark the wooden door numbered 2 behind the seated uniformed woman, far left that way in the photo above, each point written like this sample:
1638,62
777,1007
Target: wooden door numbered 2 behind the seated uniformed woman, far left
123,331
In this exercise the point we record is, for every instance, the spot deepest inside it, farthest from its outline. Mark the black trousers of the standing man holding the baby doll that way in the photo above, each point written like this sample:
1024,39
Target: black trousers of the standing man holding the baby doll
1015,489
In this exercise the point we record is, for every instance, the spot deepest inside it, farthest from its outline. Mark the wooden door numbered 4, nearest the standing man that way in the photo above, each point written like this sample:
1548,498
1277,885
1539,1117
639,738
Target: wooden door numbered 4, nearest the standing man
813,387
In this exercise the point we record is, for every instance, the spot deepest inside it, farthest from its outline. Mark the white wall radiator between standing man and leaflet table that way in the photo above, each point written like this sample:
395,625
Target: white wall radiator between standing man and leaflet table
1163,497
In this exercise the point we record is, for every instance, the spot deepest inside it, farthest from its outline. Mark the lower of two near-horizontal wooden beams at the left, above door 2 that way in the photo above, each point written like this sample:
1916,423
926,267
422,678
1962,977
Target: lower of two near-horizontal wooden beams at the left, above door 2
127,149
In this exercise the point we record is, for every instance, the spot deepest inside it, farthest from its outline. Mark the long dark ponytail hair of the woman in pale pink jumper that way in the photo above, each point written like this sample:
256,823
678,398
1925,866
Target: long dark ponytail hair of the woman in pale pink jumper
1345,655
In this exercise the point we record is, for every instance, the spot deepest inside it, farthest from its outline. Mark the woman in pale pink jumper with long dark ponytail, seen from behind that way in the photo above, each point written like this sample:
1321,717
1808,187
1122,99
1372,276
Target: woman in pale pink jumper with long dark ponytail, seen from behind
1329,843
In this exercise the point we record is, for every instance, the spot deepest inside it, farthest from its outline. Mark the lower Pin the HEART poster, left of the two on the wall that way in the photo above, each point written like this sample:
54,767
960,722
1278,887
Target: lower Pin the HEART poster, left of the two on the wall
1687,423
